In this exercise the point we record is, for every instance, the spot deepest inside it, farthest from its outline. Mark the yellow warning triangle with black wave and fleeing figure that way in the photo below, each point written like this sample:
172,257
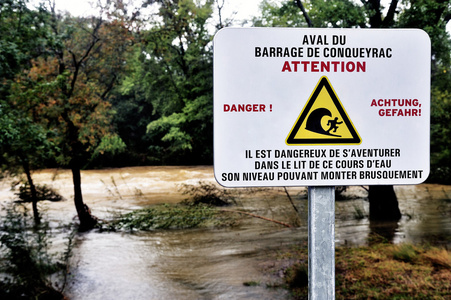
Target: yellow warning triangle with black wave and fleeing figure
323,120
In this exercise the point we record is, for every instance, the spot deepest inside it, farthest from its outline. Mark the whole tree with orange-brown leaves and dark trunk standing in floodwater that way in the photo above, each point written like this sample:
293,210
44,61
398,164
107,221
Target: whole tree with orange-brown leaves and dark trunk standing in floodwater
86,57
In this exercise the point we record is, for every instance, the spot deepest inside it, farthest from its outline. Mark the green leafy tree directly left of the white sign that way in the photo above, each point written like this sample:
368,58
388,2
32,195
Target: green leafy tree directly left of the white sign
173,80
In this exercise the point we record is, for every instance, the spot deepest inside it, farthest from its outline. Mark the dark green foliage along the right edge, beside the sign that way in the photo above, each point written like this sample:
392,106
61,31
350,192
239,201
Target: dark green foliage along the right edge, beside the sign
430,16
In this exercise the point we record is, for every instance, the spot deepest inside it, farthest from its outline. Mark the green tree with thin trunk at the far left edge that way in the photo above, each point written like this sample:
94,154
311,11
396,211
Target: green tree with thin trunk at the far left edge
23,143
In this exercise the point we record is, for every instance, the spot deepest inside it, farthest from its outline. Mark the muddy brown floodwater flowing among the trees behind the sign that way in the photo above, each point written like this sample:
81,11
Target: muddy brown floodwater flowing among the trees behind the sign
212,263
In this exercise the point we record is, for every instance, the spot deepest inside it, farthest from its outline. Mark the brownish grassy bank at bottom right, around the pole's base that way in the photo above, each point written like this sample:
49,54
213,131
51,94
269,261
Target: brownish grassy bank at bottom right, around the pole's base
381,271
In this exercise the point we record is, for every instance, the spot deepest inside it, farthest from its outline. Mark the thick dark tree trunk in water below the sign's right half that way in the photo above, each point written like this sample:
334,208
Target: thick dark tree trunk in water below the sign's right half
383,203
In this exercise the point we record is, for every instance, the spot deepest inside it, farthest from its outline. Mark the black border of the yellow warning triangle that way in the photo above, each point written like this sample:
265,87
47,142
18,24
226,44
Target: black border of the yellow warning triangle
291,140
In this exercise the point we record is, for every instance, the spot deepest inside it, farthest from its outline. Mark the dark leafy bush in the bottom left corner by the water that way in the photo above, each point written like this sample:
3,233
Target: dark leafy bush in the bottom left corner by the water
27,265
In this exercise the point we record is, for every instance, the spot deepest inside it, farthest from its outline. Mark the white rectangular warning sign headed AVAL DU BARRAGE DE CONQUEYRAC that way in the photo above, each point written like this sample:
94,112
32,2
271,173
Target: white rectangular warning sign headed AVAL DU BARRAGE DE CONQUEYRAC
321,107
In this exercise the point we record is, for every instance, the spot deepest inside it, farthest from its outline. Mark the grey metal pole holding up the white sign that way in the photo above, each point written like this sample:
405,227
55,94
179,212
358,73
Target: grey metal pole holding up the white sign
321,238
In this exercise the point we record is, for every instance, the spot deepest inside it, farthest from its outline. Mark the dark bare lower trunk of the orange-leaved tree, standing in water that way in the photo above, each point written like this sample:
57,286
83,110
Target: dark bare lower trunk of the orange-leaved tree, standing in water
87,221
